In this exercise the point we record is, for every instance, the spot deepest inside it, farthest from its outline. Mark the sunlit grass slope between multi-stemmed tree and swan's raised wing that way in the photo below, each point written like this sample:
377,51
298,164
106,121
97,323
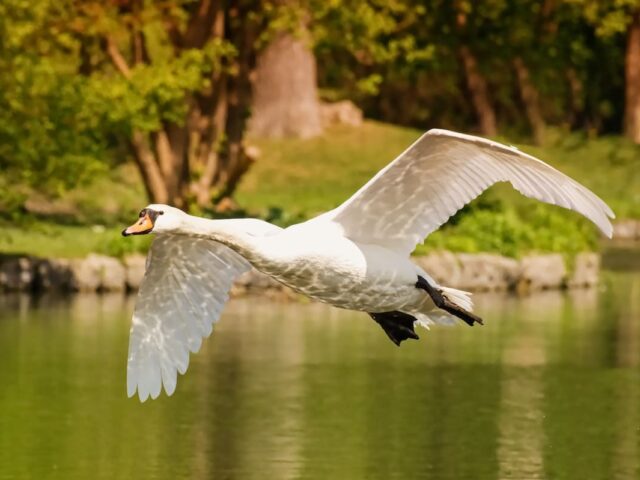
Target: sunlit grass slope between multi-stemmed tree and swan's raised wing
306,177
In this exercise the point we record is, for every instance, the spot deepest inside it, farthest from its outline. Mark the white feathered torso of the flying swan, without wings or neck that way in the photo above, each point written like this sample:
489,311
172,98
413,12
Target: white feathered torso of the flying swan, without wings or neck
347,274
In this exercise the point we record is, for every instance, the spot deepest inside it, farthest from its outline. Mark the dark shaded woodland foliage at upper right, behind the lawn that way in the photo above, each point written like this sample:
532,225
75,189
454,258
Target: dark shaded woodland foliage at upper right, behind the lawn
400,60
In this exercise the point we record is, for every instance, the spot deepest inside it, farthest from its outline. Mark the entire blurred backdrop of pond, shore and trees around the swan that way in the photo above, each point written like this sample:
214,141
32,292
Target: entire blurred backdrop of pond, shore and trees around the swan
280,110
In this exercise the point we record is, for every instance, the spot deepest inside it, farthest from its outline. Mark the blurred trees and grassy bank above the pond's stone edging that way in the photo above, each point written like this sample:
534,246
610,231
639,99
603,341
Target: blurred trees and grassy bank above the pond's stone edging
256,108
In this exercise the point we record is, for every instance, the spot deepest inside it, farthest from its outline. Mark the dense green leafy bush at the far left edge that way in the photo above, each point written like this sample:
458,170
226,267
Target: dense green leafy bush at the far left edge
45,139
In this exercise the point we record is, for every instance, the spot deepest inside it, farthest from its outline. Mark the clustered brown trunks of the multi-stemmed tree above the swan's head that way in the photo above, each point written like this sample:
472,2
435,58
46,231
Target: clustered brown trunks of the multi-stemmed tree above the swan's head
204,159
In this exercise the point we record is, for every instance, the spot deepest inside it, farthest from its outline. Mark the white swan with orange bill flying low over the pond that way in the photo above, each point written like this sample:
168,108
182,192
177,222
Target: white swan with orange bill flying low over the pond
354,257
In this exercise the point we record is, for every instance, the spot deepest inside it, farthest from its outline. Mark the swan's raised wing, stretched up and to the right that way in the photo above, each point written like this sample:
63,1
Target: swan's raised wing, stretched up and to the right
439,174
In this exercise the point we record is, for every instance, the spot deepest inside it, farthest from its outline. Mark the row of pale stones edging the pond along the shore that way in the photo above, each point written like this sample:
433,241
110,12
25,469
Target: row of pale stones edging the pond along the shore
473,272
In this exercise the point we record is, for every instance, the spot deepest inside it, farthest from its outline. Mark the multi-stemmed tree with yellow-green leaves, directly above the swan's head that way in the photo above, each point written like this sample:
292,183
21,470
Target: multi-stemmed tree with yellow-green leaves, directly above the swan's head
184,80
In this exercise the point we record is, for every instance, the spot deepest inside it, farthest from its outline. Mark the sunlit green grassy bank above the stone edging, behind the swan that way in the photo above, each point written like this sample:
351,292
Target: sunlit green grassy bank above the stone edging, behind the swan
296,179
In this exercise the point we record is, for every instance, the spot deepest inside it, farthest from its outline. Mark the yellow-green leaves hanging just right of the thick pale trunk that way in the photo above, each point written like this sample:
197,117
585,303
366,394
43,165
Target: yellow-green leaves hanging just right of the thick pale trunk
357,42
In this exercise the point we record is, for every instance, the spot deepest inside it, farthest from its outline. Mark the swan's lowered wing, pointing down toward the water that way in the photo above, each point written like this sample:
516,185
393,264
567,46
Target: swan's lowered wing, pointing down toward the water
185,287
